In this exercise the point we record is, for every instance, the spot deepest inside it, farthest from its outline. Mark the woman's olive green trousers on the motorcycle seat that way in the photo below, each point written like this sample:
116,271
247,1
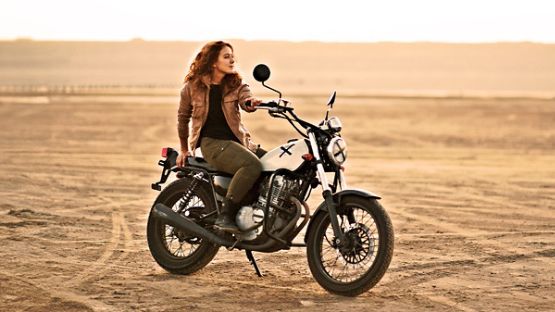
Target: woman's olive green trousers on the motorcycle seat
233,158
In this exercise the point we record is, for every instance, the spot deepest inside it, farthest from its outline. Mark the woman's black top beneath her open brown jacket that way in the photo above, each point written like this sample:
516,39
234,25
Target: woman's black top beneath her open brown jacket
216,126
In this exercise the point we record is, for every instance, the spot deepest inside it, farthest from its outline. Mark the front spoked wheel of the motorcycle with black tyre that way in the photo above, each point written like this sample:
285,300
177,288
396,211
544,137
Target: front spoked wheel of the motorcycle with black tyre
357,264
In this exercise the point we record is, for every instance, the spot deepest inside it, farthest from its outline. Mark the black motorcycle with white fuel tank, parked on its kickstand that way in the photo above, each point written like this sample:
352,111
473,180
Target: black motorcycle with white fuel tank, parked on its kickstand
349,237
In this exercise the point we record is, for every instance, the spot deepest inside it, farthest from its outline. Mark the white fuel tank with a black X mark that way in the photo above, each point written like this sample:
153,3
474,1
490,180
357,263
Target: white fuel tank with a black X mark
288,156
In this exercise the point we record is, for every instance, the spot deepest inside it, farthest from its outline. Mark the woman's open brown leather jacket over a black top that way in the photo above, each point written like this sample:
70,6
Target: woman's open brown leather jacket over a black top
194,106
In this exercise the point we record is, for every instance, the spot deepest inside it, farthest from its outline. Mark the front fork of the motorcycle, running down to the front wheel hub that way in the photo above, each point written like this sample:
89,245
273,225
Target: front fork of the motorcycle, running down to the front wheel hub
326,190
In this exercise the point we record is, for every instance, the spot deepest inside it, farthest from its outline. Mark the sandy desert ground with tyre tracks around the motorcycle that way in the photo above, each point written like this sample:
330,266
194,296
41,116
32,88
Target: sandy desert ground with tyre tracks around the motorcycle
468,182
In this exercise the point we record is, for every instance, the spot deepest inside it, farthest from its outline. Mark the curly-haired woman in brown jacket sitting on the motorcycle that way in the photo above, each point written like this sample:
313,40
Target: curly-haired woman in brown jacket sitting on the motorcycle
210,99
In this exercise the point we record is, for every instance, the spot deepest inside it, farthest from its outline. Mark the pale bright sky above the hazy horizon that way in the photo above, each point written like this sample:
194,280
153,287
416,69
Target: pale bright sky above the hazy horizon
290,20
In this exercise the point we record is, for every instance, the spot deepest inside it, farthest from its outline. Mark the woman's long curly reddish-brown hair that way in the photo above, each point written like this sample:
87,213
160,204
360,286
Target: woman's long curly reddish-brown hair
202,65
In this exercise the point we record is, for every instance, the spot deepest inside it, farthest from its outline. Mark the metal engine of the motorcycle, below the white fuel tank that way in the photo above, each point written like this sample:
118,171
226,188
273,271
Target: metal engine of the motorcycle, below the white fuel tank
280,210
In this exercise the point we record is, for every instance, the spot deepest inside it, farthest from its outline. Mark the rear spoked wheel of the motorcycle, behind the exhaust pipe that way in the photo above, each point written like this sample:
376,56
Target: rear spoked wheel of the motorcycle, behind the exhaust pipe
176,250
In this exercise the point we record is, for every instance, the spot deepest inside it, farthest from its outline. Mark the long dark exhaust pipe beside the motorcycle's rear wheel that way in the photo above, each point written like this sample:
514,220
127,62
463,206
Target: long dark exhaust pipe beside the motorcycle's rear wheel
170,217
